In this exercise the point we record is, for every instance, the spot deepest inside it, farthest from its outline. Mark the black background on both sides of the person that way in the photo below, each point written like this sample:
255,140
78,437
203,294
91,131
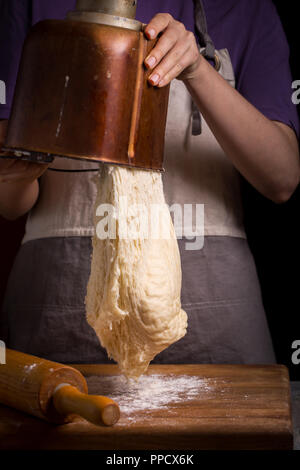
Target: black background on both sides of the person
273,232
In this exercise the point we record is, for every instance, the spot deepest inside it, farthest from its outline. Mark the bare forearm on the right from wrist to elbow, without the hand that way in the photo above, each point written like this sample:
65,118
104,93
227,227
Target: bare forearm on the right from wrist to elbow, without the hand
264,151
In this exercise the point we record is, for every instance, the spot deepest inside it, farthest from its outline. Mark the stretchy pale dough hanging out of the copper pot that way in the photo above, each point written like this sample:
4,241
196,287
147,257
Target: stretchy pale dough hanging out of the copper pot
133,294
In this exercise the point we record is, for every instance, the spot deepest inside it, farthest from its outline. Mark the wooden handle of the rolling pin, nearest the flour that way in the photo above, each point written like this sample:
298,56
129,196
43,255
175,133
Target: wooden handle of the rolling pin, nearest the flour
96,409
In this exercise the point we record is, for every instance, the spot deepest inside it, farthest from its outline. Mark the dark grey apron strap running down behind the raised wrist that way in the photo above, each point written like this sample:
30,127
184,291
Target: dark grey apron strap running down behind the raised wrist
207,49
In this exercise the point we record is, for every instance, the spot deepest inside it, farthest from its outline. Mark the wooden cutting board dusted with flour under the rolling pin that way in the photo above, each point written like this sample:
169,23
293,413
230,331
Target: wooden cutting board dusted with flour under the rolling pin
174,407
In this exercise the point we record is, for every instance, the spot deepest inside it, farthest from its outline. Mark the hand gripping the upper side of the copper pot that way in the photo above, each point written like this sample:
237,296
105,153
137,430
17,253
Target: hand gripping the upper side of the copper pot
176,54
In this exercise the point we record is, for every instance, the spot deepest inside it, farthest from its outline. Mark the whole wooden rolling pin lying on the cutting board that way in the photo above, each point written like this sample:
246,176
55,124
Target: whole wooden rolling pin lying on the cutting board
51,391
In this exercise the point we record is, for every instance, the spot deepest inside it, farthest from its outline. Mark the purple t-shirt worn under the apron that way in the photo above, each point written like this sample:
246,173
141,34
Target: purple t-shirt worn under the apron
250,30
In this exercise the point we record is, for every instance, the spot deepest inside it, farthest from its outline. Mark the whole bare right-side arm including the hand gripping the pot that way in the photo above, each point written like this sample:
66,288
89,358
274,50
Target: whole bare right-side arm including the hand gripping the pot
265,152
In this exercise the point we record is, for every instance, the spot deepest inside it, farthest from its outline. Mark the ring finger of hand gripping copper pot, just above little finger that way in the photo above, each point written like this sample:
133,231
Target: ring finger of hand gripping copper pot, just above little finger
176,59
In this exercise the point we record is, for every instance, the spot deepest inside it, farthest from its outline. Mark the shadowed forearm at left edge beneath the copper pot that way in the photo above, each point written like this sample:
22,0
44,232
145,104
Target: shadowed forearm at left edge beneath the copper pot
19,188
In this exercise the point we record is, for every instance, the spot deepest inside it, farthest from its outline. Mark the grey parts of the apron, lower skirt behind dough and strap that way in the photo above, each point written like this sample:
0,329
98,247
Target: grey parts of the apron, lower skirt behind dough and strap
44,313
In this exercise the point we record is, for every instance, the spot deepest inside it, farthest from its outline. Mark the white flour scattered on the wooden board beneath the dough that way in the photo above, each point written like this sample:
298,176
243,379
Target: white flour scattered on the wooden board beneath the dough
151,392
